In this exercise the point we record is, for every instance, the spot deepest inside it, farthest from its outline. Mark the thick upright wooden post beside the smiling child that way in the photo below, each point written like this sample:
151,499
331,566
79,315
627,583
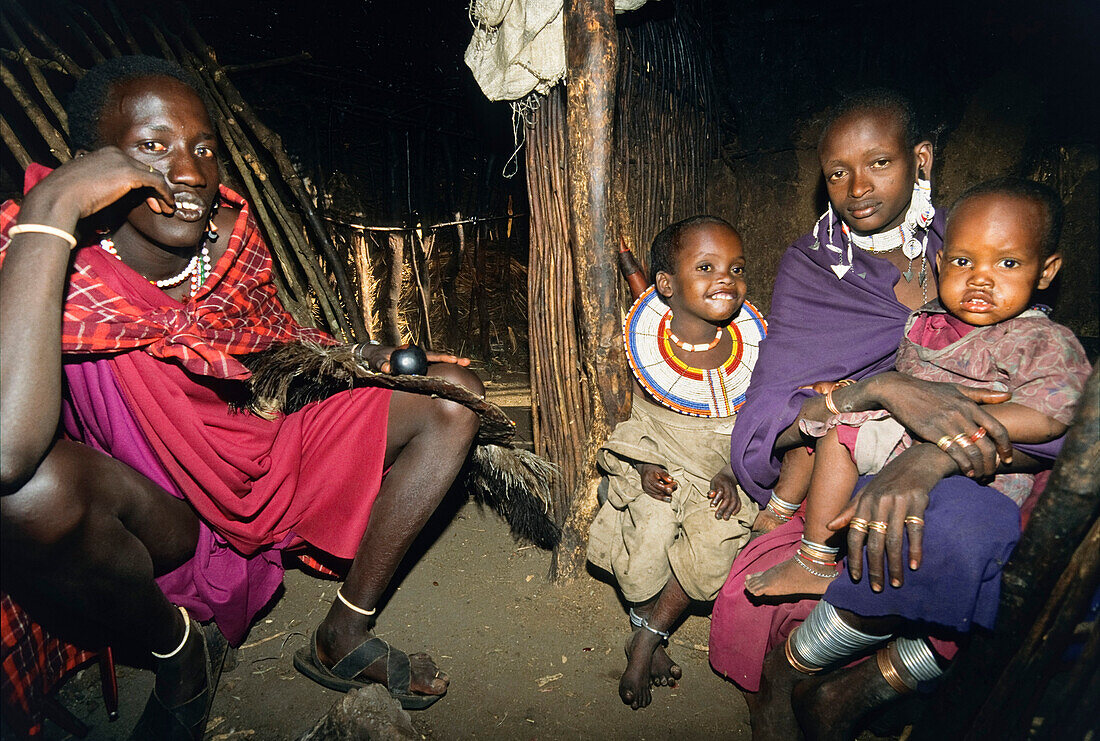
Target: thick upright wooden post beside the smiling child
592,64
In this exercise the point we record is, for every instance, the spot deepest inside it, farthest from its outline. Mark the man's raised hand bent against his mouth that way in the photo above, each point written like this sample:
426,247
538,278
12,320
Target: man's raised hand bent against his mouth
89,184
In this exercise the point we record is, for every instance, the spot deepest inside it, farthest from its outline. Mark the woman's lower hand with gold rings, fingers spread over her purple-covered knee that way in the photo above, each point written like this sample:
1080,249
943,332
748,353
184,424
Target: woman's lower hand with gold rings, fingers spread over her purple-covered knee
897,497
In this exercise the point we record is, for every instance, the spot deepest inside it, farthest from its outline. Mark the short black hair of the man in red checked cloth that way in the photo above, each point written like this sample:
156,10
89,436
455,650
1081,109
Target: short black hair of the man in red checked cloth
94,91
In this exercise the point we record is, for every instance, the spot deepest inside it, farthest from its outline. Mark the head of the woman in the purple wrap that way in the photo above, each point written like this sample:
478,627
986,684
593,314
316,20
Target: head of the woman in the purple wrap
872,153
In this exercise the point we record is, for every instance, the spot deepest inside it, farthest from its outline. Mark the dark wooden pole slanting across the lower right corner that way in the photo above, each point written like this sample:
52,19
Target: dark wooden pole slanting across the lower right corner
987,692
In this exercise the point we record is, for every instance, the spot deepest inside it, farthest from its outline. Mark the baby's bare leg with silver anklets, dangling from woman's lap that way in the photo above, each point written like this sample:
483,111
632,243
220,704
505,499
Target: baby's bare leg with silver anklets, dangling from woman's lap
813,568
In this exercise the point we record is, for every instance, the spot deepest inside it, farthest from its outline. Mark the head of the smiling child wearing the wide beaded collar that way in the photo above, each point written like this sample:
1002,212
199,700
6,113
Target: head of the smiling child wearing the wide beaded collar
699,269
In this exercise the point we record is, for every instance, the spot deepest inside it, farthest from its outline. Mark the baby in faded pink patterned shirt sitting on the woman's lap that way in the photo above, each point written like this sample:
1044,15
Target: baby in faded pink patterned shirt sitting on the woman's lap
999,250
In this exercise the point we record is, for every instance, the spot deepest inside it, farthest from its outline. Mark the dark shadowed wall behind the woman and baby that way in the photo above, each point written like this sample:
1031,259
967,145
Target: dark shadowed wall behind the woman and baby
1003,89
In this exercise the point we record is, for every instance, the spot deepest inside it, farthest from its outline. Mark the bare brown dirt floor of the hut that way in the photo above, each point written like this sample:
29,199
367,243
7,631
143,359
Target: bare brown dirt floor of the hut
527,659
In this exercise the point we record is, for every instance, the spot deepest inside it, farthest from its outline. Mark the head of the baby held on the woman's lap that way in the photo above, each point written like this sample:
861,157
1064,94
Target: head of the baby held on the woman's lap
999,249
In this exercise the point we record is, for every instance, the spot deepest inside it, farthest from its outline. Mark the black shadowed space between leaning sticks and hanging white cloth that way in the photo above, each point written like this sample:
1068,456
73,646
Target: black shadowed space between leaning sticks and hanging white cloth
384,99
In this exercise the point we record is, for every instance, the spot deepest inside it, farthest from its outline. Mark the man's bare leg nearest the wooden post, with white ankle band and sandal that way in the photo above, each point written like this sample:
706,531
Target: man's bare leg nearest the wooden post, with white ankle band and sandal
427,443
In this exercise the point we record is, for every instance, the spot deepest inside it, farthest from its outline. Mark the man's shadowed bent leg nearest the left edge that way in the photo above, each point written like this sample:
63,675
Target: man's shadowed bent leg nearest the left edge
82,543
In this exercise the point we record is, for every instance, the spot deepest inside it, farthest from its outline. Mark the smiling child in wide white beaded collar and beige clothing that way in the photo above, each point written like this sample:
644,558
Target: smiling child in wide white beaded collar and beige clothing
675,517
